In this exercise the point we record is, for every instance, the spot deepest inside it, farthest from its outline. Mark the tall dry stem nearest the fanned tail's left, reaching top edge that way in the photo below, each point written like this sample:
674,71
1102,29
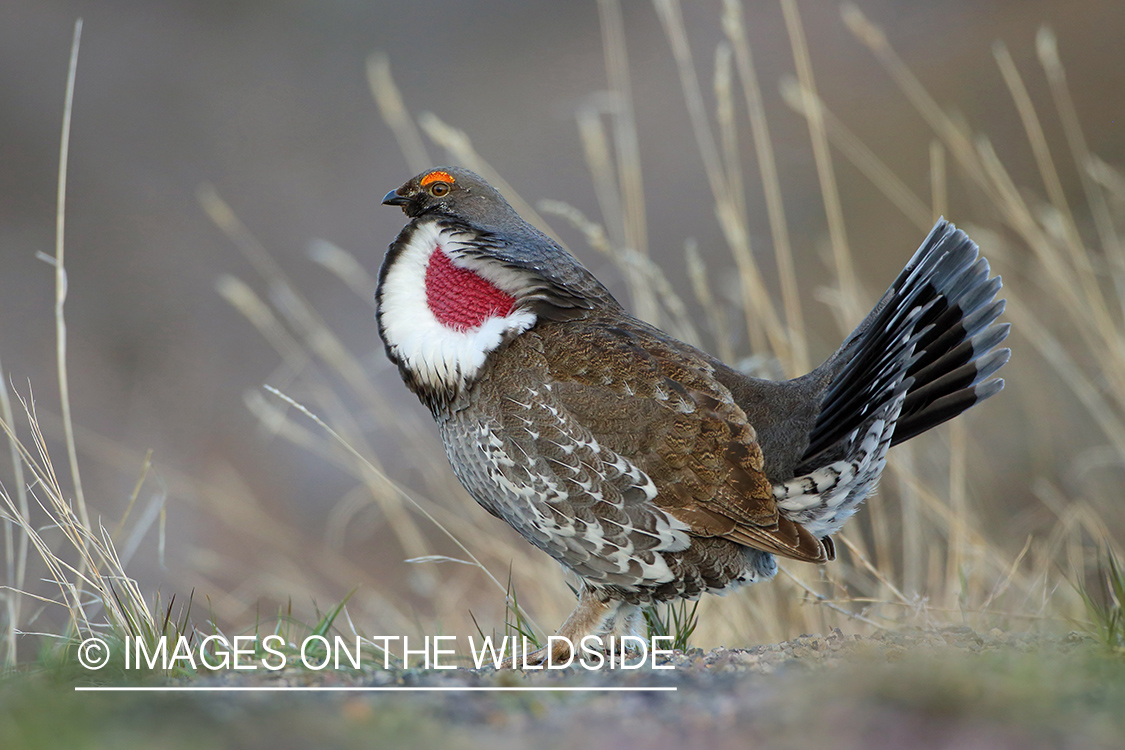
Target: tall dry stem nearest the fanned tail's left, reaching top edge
842,256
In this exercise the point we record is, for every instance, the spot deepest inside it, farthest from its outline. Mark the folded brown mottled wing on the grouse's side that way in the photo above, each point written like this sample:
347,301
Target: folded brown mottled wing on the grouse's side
656,401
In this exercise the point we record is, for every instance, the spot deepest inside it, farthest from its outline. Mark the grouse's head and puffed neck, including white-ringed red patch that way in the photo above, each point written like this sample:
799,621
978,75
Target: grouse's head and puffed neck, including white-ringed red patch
464,277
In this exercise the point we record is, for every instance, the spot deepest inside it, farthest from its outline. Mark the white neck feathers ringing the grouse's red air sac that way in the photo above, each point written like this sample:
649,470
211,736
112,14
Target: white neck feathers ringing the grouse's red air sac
439,356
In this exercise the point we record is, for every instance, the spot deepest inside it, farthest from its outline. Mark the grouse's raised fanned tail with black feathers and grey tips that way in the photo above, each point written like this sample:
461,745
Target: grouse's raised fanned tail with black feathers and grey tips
922,357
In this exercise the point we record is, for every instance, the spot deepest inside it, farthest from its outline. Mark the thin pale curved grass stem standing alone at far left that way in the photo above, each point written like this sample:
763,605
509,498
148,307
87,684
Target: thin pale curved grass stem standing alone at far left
61,278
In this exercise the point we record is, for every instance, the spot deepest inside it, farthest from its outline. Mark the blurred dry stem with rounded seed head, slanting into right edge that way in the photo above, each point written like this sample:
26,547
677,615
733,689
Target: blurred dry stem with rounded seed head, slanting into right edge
1047,48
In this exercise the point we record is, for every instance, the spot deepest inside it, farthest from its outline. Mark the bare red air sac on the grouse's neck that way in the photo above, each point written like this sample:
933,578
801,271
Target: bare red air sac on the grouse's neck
460,299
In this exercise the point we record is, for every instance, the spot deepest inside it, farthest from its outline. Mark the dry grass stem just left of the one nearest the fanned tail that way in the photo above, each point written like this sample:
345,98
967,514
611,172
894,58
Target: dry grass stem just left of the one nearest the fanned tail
768,168
